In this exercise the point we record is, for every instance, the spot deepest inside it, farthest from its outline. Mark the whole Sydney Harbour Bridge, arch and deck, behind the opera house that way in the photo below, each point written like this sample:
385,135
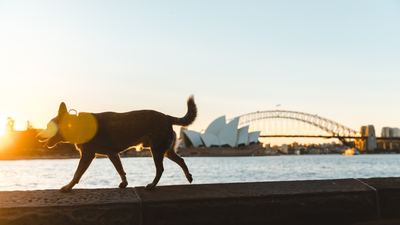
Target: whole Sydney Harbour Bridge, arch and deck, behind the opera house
292,124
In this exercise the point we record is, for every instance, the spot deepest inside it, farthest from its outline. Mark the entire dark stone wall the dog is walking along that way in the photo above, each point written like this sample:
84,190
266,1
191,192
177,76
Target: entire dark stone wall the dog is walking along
345,201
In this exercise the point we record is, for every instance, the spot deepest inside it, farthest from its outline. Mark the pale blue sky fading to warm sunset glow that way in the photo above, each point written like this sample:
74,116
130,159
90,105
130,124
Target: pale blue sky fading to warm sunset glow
337,59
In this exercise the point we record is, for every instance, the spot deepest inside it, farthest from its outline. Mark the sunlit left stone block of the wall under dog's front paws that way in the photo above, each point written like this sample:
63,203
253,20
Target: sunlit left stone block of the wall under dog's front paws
80,206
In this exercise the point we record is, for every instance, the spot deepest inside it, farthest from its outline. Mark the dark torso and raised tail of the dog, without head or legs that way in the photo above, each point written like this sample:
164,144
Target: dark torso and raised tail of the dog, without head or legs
120,131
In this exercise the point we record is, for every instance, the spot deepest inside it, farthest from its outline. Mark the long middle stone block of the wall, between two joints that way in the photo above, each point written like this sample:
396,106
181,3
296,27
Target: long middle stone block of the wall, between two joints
295,202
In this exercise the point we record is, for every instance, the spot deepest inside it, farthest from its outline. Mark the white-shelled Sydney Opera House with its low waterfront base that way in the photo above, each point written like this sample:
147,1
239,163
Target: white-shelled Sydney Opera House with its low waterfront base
220,138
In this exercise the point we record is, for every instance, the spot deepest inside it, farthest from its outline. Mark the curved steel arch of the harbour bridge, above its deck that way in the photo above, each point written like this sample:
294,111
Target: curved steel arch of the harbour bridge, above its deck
331,127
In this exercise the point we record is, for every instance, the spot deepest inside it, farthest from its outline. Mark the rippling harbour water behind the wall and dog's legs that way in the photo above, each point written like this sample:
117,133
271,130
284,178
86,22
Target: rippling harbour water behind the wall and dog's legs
52,174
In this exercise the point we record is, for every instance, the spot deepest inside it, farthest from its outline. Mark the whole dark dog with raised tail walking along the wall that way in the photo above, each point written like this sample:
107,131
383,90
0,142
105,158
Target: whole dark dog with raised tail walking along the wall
113,133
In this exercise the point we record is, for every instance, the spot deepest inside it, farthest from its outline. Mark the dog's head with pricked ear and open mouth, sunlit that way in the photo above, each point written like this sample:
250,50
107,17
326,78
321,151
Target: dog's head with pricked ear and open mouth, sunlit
52,134
